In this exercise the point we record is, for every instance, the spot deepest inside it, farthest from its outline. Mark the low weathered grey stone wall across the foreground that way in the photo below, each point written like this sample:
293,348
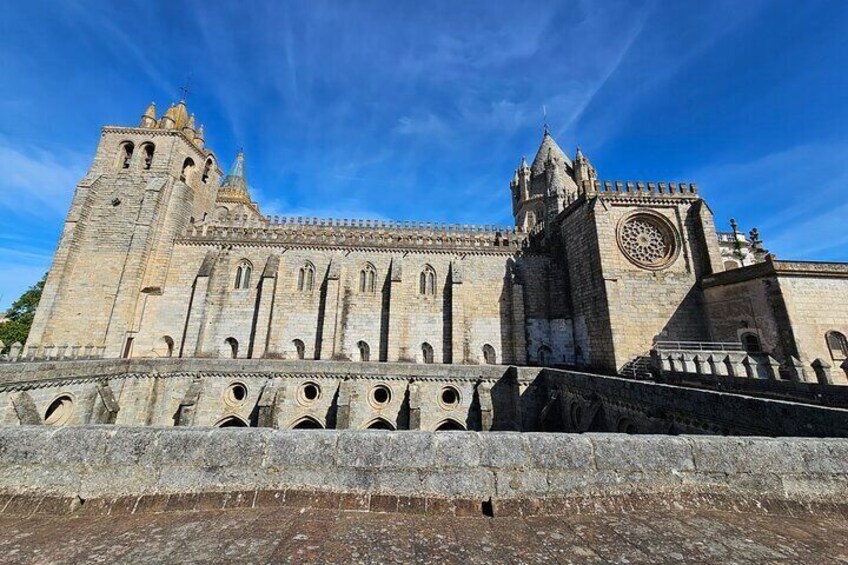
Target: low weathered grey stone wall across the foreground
107,461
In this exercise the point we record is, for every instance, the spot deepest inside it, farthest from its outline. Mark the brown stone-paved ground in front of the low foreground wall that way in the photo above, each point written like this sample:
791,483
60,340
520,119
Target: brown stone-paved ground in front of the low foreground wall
321,536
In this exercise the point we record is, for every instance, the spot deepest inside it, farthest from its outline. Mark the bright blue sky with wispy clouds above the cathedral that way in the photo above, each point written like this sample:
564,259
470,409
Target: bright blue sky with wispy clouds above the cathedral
422,110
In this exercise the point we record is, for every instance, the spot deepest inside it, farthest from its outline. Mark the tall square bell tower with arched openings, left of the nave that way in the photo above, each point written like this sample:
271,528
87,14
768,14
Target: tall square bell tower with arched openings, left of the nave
144,187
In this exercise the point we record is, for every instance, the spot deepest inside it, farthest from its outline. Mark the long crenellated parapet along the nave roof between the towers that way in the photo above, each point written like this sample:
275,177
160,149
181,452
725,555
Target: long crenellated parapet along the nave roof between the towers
356,233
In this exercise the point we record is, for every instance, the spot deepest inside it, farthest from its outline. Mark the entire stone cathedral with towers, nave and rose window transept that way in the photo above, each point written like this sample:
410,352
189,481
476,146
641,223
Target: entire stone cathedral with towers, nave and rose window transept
163,255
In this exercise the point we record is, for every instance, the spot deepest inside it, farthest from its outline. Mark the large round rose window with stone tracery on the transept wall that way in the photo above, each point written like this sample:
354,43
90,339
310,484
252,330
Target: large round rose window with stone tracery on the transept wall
648,240
